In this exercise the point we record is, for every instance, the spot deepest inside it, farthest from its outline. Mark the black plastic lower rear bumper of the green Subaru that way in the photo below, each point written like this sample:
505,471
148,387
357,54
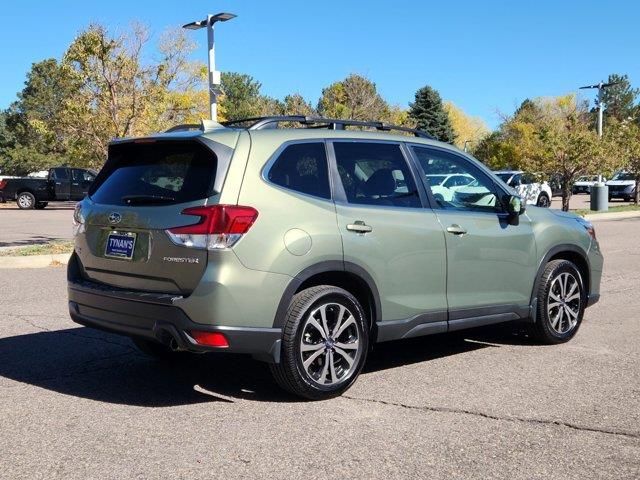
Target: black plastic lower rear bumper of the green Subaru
155,317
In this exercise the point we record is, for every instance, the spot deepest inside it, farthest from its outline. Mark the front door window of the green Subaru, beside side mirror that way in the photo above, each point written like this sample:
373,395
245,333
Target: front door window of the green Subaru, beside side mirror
479,193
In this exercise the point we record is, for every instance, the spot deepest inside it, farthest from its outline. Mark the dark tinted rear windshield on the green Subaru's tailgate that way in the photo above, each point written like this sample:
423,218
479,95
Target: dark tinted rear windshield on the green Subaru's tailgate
158,173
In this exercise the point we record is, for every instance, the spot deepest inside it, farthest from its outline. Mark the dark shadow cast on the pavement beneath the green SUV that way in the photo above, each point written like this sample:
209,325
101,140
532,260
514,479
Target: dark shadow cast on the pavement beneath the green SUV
90,364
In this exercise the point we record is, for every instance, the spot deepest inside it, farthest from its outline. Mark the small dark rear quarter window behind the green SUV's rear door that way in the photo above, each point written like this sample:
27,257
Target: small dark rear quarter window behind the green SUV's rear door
302,167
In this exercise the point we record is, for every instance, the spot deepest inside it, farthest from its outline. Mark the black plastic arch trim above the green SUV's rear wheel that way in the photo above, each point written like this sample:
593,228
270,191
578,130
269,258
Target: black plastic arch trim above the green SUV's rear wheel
326,267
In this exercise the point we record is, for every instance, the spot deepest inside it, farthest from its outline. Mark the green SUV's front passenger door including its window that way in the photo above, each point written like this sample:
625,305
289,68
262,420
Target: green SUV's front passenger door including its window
490,263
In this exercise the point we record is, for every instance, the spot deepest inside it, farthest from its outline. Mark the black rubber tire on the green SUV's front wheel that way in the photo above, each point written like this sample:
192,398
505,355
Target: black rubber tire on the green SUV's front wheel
545,329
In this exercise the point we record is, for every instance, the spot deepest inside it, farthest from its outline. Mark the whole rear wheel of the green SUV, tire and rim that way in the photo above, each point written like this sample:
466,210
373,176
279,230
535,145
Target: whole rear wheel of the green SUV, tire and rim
324,344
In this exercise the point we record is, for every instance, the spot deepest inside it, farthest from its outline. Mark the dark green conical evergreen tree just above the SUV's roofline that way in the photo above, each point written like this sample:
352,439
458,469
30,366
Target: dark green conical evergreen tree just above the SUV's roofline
429,114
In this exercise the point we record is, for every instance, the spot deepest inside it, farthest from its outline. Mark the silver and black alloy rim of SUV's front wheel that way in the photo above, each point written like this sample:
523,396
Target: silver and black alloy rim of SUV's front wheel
564,302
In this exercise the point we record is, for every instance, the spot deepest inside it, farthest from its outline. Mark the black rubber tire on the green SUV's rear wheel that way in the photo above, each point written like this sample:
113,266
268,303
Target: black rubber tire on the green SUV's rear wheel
291,373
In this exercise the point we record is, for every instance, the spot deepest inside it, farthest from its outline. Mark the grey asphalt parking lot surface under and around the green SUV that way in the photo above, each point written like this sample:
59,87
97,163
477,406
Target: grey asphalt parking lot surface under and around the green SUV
77,403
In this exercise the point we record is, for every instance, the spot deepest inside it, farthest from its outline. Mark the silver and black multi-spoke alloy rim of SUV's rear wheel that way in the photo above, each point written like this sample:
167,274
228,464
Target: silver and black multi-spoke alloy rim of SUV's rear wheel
330,346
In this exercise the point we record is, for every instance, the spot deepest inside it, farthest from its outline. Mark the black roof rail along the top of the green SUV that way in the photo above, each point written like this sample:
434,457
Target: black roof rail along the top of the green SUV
262,123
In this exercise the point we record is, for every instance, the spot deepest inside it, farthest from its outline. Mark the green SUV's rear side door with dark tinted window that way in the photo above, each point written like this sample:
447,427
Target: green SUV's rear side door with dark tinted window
386,230
